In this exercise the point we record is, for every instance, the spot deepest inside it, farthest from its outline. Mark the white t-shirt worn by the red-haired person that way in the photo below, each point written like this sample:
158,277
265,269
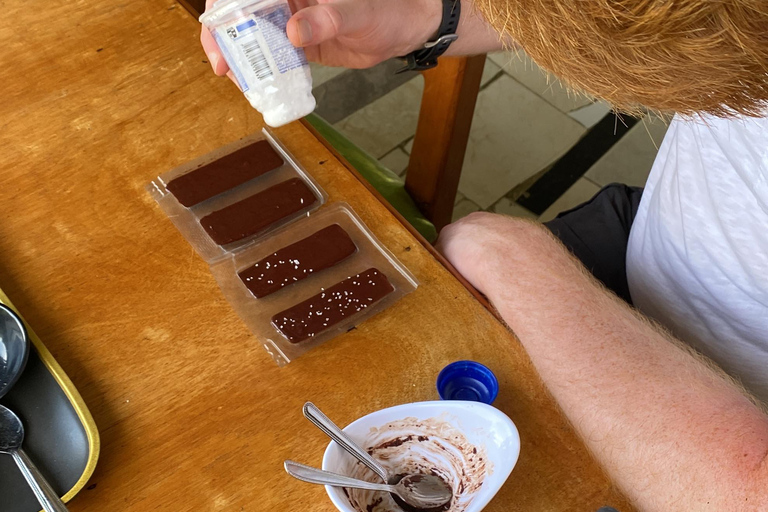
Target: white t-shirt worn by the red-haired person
697,259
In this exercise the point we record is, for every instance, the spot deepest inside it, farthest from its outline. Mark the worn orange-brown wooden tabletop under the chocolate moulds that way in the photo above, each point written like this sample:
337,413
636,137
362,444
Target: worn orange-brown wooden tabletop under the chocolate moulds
98,98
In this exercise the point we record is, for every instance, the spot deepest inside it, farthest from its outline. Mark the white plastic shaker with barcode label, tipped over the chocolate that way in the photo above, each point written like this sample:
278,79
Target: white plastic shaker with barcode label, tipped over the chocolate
271,72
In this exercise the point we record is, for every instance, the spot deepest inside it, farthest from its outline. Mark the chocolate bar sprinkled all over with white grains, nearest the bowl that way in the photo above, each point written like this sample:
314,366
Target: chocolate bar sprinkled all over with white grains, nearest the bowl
316,314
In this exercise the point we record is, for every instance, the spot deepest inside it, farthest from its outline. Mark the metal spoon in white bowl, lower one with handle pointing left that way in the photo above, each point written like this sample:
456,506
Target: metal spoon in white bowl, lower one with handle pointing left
423,492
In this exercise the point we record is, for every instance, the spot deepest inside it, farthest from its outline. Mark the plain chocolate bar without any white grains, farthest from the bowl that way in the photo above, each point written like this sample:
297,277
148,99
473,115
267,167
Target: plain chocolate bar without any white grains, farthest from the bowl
225,173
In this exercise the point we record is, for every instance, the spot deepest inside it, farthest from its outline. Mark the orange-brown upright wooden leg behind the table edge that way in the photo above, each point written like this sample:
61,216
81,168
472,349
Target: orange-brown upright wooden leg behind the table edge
447,107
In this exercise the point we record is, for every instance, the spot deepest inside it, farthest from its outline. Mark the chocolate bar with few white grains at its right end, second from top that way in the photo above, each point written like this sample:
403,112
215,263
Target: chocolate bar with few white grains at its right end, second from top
255,213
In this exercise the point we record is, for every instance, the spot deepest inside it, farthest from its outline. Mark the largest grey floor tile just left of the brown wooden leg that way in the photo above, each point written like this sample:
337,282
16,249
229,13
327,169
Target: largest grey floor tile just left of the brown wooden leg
387,122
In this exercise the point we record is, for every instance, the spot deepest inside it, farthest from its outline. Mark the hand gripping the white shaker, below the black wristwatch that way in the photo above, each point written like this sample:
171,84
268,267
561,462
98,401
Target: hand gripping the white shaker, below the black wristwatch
351,33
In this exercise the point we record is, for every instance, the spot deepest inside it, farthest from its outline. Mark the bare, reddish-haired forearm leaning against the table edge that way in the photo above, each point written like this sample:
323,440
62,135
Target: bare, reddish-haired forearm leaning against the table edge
672,432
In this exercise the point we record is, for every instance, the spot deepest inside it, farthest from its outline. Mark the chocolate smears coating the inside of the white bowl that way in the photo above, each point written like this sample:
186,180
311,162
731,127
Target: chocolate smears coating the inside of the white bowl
430,446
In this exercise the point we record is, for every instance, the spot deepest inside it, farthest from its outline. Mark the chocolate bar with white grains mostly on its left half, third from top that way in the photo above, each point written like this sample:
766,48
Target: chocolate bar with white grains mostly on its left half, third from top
297,261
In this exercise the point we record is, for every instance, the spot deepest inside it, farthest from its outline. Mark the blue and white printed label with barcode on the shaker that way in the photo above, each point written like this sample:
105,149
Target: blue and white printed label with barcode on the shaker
263,42
